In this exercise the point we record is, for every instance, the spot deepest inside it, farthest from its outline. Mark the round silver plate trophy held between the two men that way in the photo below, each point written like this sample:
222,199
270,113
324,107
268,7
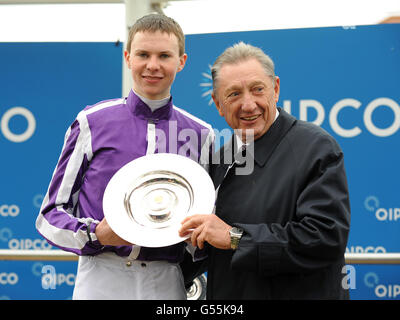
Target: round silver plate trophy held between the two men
147,199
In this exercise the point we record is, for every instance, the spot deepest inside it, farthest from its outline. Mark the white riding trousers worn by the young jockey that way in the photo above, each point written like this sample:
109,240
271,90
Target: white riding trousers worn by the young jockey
109,277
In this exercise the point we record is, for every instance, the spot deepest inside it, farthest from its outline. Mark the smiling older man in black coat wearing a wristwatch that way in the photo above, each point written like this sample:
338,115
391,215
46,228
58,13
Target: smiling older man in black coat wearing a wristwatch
280,231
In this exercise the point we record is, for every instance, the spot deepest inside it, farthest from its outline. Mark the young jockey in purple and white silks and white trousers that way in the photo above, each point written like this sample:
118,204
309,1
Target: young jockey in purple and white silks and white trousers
103,138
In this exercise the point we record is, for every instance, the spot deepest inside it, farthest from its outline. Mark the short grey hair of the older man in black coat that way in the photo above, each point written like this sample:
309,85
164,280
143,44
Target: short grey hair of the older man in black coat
240,52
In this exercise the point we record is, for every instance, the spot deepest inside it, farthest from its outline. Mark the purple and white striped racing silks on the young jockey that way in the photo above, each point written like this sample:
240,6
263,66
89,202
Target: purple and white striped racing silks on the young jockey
103,138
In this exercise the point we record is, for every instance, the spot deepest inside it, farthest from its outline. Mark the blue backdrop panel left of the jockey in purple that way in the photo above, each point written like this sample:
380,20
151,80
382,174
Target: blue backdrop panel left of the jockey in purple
51,82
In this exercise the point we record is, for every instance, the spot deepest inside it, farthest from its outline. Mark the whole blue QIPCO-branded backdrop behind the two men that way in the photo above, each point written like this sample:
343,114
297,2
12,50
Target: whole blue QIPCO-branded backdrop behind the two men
345,79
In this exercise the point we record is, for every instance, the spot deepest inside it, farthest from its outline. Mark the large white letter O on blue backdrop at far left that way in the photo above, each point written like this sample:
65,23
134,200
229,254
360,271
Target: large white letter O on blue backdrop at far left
9,132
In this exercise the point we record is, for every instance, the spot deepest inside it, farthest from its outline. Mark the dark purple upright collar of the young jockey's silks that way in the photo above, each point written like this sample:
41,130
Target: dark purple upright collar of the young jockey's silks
142,110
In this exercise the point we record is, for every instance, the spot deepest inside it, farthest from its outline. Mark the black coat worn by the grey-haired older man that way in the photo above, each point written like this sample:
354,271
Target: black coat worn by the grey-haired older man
295,212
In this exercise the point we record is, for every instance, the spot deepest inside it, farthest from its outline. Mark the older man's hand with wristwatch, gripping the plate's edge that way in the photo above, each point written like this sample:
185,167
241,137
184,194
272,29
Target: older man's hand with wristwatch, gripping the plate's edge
206,227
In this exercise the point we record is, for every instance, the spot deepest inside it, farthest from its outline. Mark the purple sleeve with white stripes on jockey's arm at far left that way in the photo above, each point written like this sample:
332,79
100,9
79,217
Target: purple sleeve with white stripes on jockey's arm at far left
58,220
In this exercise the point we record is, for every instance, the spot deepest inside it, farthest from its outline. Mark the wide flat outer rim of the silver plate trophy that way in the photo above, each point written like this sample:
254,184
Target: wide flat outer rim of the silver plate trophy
123,182
